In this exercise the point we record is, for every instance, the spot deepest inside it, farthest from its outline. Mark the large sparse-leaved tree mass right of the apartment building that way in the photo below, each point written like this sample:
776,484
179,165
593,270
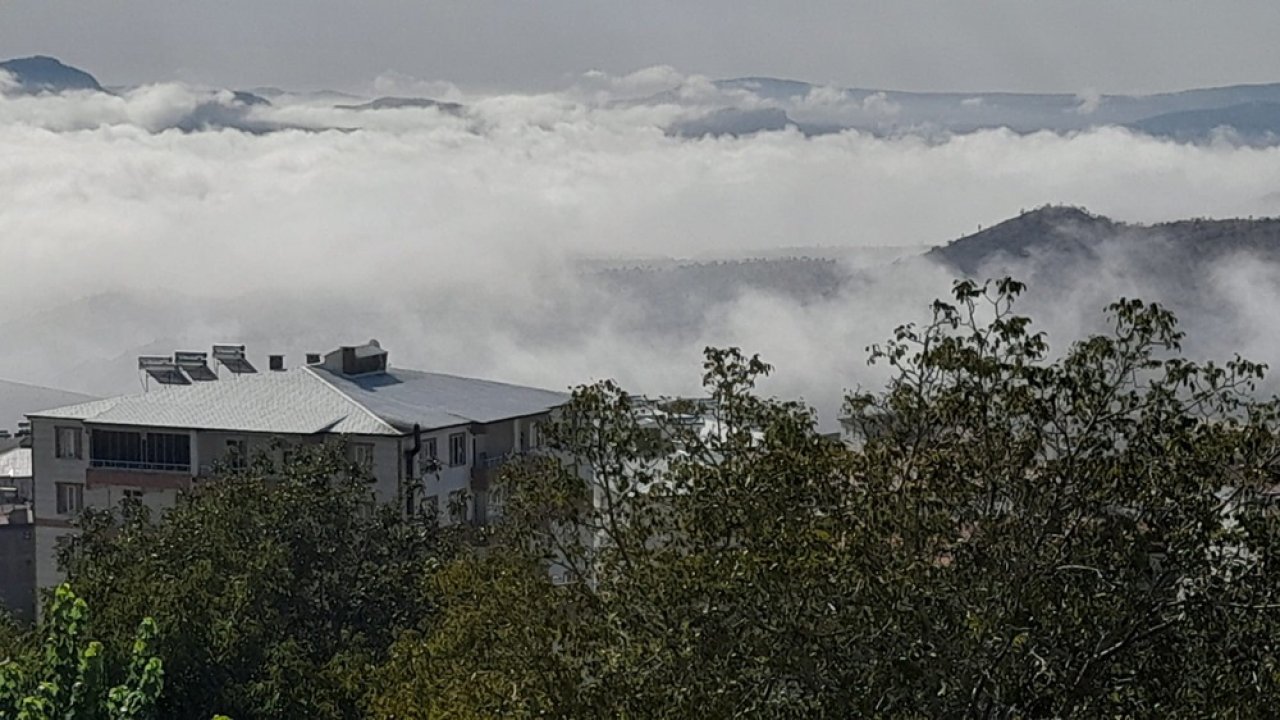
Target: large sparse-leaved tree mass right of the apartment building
1020,535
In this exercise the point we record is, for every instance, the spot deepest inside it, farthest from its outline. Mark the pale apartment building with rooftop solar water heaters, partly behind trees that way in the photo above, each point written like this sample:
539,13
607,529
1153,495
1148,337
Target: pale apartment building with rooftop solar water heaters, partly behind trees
159,444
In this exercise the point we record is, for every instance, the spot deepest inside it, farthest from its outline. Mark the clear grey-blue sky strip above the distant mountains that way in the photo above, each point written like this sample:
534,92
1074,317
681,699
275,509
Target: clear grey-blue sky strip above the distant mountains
968,45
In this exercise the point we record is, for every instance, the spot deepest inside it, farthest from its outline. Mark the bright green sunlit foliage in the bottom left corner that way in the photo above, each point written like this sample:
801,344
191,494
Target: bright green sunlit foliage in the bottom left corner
71,677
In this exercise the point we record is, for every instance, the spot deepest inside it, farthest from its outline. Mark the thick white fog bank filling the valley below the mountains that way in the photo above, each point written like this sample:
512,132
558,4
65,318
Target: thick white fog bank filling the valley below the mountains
461,243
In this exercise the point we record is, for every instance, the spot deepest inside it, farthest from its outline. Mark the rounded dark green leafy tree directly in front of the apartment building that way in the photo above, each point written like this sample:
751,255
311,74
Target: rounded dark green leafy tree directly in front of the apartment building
276,590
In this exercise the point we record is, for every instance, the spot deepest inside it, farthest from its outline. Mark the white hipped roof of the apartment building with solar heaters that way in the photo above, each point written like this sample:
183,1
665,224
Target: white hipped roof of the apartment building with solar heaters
312,400
